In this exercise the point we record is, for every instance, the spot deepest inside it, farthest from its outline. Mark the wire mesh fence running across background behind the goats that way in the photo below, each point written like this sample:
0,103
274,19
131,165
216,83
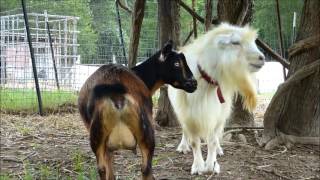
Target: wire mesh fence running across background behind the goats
72,38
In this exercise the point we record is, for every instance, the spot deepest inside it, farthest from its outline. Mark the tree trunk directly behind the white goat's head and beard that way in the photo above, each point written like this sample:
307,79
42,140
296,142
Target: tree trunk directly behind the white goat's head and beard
239,13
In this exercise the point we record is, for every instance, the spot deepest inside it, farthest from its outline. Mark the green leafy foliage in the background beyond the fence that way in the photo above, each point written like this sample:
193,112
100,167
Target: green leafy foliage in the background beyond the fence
99,36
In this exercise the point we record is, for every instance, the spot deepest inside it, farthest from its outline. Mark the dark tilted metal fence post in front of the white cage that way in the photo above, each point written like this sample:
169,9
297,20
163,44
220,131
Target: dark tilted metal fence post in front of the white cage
34,68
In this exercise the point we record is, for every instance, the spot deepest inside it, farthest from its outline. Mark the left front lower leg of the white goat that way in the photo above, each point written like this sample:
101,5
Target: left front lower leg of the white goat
198,163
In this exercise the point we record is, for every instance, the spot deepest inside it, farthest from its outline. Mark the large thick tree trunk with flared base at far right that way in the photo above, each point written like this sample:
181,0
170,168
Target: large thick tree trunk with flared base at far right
293,116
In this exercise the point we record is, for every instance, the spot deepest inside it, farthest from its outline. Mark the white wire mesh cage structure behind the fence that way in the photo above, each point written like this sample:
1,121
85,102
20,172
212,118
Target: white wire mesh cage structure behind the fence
16,71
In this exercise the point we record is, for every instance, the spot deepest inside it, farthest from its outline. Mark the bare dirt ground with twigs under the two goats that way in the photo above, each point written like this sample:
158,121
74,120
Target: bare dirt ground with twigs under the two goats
57,147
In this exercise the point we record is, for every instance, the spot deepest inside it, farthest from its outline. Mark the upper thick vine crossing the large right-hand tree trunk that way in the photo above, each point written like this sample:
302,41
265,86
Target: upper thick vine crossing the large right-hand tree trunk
304,44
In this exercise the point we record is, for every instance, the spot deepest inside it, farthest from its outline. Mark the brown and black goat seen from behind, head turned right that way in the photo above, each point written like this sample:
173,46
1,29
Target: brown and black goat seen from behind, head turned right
116,107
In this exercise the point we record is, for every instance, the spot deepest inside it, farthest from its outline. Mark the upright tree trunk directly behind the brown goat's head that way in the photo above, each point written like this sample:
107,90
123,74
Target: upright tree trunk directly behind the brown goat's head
169,29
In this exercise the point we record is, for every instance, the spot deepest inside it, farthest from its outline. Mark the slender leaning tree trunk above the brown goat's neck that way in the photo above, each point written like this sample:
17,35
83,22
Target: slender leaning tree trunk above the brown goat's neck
137,18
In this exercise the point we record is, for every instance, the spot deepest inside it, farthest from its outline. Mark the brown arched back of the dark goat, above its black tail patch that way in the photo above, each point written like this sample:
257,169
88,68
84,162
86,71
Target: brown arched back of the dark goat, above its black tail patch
110,75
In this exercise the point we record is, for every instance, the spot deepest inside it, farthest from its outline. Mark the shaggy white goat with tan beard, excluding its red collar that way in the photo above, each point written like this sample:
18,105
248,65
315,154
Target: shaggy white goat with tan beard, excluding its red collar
229,55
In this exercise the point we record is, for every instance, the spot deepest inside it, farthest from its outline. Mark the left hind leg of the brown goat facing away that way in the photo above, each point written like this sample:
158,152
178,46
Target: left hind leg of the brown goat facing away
98,138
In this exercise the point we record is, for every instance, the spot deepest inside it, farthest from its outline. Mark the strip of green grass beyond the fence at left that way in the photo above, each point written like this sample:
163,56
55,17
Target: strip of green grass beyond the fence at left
14,100
